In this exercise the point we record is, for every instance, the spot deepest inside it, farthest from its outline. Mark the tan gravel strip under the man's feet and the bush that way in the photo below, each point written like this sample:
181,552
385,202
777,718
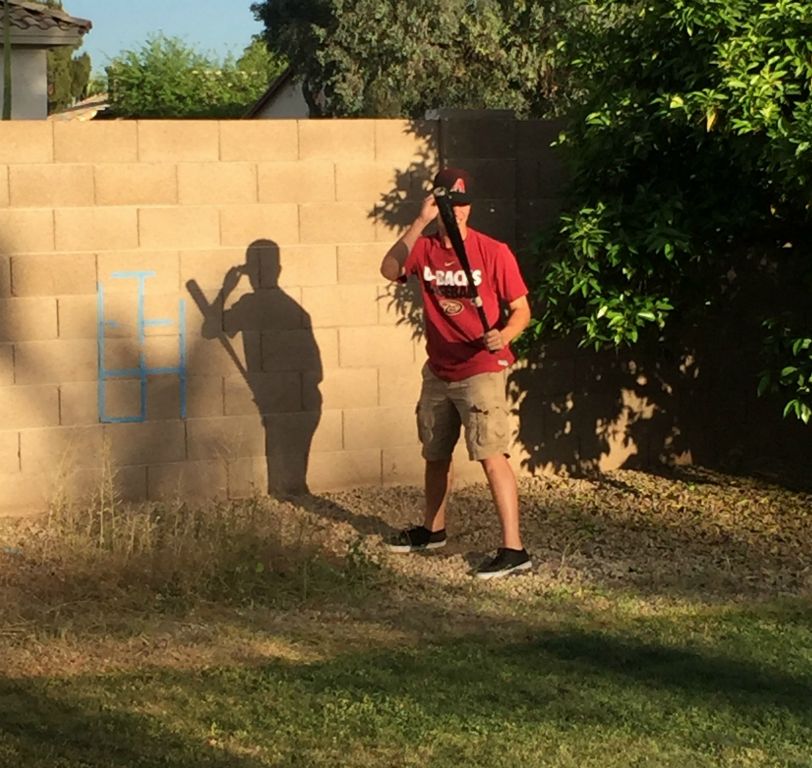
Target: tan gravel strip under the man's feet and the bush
691,532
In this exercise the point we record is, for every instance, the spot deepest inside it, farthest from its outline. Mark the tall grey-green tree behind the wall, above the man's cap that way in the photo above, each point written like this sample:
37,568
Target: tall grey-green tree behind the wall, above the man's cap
387,58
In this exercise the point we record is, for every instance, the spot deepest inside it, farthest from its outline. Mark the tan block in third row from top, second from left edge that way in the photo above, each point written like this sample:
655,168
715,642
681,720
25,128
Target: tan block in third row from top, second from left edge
96,229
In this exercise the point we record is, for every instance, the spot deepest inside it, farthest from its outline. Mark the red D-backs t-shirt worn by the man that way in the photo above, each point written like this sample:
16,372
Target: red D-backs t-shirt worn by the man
453,329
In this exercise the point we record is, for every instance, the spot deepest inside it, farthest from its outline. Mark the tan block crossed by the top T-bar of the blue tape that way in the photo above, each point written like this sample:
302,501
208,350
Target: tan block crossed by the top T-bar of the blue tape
164,264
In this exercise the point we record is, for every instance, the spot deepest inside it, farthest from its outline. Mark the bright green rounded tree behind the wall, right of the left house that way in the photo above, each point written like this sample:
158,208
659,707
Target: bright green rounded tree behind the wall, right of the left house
166,78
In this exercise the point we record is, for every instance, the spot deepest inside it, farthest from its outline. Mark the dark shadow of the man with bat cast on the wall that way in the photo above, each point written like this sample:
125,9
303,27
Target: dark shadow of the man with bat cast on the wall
282,368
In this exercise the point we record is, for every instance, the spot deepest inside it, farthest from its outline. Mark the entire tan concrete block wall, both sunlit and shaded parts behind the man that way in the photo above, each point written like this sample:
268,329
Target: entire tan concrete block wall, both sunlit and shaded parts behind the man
197,305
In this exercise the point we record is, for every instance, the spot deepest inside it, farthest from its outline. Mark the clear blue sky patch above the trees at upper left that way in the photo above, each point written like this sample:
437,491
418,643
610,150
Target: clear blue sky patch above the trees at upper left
211,26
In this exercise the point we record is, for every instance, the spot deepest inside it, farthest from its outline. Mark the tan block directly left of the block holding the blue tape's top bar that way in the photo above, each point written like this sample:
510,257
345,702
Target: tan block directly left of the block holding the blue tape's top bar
54,275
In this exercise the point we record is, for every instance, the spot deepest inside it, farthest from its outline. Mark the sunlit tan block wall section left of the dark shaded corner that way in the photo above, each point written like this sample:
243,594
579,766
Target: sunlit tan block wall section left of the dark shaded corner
306,369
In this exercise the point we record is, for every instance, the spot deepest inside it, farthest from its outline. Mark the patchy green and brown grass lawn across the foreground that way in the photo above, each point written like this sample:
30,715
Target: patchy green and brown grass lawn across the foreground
359,659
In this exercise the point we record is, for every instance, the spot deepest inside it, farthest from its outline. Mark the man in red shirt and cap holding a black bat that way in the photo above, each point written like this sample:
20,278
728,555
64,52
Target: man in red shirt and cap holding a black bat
464,380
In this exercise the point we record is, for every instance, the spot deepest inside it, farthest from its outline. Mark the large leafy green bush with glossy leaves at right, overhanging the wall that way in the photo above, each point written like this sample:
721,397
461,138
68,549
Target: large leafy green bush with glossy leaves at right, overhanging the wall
692,163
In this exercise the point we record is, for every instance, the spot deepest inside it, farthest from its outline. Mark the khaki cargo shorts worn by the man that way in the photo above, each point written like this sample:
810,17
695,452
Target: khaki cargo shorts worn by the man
478,403
